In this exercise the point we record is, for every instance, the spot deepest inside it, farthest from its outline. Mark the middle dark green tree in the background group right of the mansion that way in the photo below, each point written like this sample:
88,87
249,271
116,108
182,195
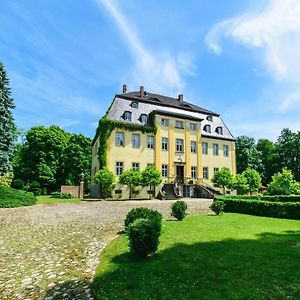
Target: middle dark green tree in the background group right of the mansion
269,158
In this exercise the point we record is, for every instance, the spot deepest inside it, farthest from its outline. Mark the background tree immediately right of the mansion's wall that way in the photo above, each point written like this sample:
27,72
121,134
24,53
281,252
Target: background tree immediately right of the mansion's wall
247,156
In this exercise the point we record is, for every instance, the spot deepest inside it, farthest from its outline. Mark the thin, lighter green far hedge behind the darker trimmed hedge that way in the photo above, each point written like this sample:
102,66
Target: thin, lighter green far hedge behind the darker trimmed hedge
278,198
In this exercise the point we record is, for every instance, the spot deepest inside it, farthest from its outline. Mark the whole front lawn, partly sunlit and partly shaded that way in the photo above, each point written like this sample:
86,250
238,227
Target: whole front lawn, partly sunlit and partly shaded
208,257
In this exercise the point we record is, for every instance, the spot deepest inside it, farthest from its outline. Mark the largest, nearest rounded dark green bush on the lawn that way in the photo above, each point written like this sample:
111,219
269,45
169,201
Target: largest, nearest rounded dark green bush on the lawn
143,237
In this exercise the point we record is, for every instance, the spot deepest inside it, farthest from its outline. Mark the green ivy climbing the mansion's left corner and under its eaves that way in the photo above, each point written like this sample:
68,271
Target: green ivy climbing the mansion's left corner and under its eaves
105,128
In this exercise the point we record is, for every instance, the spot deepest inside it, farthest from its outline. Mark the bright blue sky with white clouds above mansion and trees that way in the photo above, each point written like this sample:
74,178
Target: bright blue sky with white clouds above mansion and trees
67,59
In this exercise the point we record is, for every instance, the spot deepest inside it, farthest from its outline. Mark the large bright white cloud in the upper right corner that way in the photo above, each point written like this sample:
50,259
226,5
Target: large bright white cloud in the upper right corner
276,31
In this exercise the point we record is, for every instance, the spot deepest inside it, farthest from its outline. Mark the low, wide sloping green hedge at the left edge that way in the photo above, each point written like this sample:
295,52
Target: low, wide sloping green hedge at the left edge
13,198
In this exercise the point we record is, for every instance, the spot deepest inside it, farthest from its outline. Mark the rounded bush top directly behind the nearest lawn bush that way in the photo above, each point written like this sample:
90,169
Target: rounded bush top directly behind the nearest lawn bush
143,213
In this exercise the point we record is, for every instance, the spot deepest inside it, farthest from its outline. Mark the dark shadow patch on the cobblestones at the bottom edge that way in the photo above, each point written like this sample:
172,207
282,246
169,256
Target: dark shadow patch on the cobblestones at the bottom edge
70,290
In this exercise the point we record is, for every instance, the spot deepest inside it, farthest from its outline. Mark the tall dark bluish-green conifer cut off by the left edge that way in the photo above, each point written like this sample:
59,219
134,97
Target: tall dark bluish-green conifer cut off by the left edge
7,124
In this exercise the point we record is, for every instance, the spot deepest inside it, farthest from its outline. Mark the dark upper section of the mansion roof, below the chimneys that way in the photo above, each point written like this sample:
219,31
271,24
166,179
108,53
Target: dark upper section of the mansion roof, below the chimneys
165,101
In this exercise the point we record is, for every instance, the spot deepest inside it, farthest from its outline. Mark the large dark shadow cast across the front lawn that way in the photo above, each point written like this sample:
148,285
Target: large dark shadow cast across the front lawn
264,268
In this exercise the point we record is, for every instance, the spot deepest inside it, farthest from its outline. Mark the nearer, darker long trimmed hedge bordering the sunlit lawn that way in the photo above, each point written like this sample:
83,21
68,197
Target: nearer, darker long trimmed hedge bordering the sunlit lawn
288,210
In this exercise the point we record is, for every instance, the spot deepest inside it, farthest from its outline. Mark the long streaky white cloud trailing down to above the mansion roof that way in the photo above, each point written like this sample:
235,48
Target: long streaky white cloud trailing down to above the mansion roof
157,71
